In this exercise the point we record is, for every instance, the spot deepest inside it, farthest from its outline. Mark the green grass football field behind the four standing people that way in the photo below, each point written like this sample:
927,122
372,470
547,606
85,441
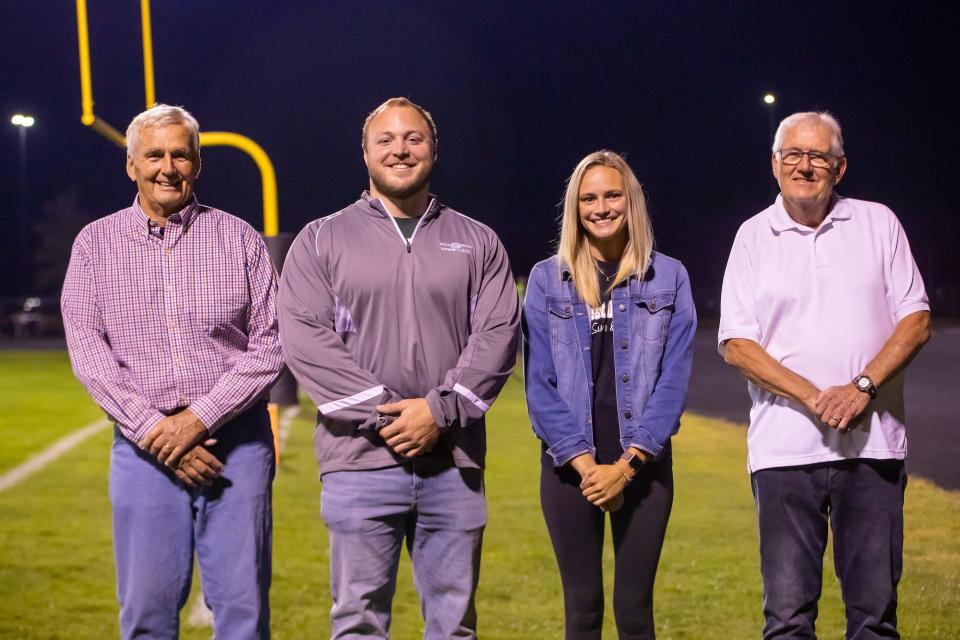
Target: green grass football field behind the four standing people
56,565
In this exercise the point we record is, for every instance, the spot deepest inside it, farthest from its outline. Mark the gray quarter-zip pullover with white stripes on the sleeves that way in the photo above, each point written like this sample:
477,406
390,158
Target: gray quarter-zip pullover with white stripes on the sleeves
368,317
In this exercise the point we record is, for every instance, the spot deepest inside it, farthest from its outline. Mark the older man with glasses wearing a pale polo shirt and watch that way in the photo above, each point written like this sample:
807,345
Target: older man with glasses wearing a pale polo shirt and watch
822,309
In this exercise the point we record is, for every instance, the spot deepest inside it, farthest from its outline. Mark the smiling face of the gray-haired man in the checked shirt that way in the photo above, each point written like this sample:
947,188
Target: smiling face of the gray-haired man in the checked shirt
164,165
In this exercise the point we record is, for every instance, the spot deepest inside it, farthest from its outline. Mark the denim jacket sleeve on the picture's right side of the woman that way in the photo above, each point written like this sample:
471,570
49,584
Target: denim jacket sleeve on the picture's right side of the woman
661,416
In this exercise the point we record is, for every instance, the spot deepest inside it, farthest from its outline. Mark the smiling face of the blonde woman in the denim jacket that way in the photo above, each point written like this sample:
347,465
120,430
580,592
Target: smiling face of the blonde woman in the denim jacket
602,202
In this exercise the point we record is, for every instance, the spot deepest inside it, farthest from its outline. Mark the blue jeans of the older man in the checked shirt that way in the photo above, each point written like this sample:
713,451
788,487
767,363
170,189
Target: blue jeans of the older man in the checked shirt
158,522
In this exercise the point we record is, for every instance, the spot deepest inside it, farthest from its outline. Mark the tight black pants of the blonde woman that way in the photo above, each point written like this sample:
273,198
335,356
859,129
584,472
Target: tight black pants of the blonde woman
576,529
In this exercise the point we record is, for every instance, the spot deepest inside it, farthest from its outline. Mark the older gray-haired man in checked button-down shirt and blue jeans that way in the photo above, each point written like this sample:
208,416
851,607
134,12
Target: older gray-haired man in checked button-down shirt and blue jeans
169,311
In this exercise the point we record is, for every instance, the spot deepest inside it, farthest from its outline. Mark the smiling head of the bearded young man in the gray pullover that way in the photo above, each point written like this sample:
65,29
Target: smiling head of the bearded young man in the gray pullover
399,153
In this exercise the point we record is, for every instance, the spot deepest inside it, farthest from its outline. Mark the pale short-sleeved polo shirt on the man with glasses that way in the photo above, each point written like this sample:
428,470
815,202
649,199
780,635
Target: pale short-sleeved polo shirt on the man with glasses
822,302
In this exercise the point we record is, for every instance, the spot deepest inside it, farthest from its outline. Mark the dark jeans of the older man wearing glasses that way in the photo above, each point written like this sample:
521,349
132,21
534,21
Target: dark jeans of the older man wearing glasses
863,501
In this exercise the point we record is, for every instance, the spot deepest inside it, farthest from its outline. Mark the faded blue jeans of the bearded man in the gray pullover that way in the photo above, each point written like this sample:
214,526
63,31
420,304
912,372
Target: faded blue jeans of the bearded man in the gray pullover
440,510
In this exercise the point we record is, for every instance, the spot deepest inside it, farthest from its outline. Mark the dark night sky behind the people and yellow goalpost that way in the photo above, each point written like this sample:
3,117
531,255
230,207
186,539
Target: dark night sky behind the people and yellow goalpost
520,92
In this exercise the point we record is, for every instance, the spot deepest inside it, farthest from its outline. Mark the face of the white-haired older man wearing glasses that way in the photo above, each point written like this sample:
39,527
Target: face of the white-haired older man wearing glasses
803,186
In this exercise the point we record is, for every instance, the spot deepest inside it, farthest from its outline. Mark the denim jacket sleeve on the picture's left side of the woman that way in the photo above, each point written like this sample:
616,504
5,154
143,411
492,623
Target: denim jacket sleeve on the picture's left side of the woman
551,417
